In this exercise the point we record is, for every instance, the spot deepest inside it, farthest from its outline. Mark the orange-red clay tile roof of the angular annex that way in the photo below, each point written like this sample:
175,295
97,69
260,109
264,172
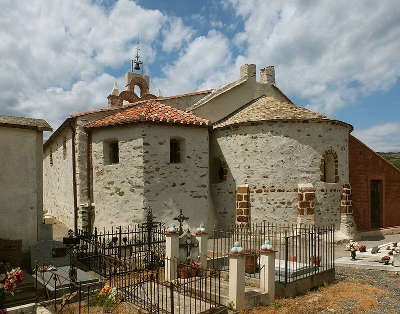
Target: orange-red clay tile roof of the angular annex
151,111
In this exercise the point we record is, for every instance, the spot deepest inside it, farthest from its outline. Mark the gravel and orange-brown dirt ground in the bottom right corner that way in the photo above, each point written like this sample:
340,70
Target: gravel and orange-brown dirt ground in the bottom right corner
355,291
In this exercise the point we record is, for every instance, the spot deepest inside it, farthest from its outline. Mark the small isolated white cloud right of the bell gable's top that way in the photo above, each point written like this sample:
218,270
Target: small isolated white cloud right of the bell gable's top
175,34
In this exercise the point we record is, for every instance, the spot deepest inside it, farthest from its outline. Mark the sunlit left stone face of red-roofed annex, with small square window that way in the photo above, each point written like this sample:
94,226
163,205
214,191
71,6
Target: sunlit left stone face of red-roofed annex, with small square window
118,189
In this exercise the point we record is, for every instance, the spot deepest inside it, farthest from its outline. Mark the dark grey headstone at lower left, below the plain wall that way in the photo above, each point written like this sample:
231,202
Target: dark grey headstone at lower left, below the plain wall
49,252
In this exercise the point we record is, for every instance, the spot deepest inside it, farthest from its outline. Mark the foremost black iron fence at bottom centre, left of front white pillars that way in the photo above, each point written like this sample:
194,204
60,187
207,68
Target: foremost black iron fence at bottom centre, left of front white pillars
195,290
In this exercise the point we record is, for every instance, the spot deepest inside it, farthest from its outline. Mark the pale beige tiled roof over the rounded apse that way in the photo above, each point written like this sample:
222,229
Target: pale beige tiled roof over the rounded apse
267,108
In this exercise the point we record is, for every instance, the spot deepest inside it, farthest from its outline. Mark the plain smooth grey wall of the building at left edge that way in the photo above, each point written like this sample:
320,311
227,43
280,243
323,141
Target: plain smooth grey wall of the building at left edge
21,185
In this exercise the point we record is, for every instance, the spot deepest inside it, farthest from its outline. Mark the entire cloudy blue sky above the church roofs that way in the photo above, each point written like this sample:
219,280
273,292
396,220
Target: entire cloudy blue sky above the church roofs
340,58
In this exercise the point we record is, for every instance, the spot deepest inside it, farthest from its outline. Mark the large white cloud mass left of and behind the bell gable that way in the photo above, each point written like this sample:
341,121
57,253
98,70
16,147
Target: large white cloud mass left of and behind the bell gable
54,53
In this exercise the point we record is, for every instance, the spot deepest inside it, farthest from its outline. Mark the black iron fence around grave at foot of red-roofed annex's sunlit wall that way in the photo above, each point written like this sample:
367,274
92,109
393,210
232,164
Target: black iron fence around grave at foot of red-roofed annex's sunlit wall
138,247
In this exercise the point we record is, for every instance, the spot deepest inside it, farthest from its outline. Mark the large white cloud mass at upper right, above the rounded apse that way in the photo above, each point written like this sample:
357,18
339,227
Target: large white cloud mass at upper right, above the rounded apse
321,48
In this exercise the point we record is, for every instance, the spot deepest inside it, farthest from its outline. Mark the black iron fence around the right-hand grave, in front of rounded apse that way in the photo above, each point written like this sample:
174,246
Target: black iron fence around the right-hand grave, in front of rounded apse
301,251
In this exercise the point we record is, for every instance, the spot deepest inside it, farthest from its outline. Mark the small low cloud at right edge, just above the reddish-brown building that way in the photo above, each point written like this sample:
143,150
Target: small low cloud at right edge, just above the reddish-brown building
382,137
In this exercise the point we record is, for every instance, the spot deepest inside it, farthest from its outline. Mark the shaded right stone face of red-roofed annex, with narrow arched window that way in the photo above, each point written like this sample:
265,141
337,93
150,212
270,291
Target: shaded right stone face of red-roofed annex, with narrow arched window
172,186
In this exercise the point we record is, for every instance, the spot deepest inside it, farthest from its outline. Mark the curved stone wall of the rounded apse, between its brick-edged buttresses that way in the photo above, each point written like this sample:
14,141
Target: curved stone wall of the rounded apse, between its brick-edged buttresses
273,158
